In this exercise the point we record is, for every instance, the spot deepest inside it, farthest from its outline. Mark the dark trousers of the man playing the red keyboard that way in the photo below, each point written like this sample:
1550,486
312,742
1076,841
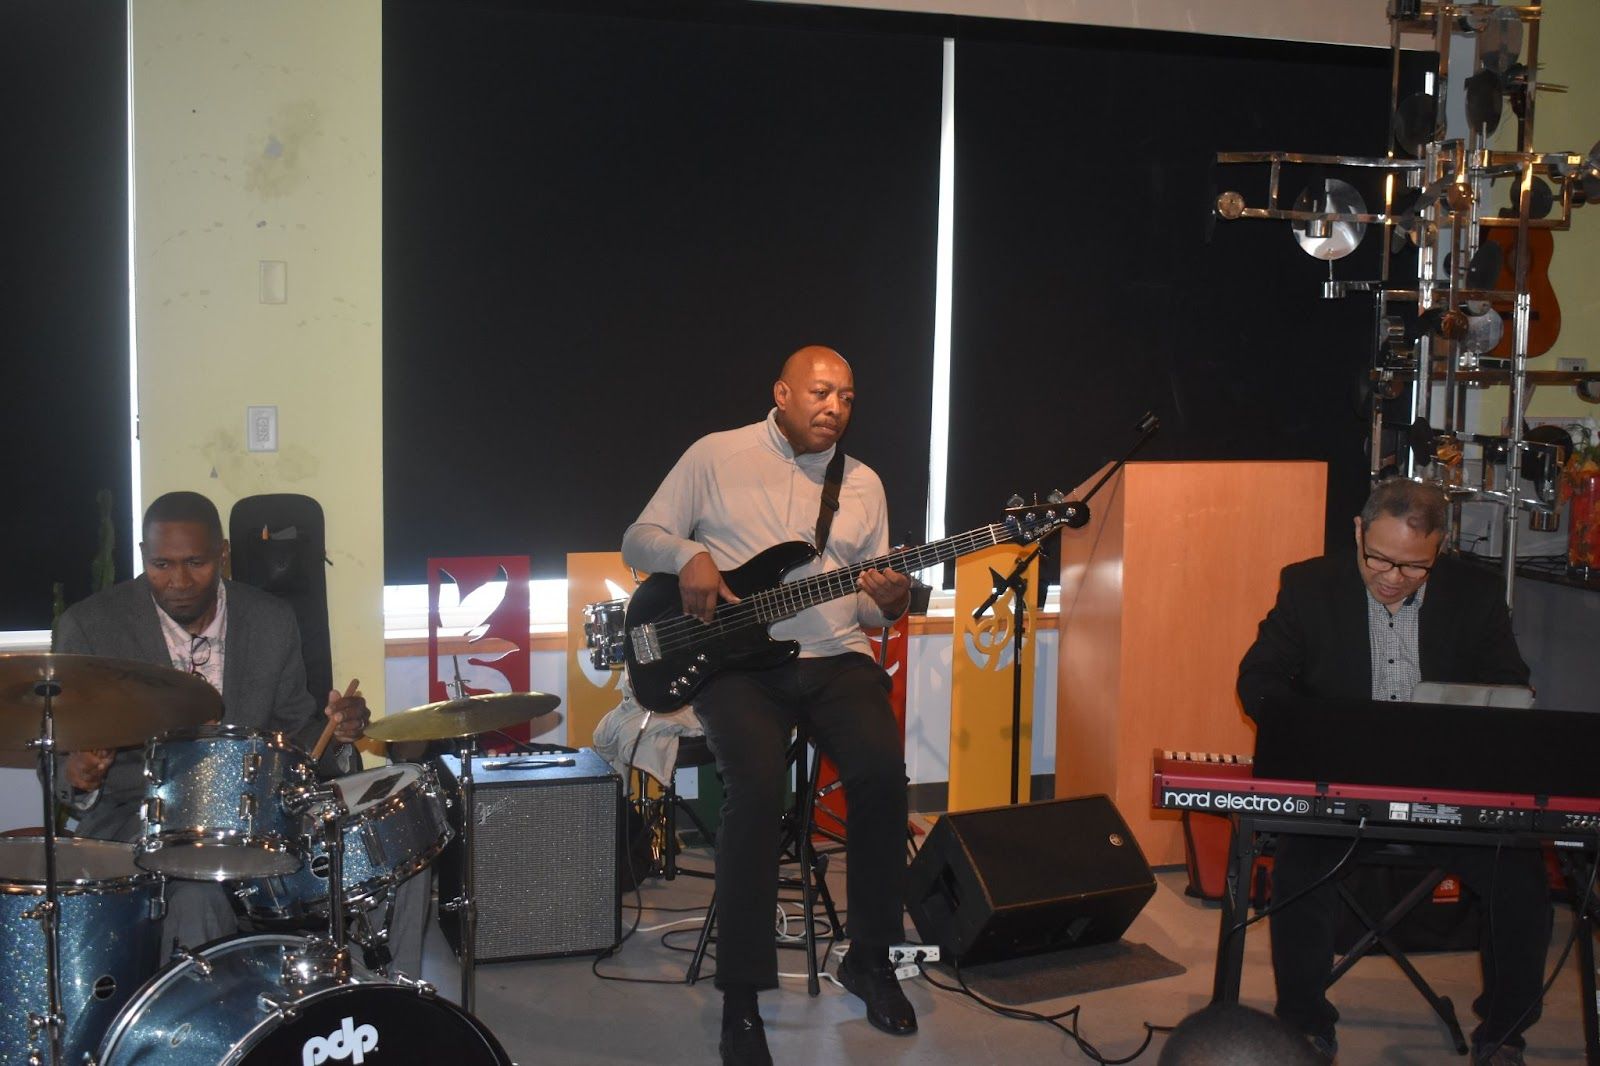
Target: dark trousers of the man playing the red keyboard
1516,899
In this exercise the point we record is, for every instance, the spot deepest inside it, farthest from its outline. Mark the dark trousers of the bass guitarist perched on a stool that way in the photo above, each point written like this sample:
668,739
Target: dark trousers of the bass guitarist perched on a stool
748,716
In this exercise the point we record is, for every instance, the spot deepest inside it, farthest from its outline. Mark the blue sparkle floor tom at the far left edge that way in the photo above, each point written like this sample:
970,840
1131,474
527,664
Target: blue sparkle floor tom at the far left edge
110,940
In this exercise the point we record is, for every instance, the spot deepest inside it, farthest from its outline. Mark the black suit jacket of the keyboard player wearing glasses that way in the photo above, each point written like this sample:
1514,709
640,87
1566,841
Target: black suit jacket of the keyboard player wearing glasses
1316,641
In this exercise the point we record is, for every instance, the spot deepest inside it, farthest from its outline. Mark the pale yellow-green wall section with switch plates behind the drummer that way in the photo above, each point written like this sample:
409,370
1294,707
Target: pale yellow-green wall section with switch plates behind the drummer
258,137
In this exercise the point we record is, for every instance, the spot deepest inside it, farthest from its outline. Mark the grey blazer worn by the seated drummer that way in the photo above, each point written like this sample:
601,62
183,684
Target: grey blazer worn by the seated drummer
263,681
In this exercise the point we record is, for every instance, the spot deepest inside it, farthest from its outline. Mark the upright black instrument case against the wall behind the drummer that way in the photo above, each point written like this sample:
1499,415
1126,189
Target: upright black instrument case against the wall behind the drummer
279,545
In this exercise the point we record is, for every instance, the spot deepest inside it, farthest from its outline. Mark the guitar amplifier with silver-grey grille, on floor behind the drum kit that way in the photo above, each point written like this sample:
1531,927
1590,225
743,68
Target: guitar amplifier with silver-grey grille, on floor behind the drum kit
548,844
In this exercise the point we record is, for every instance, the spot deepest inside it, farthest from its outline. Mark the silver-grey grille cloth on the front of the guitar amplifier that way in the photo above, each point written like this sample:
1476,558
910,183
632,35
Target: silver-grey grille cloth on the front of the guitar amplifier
546,868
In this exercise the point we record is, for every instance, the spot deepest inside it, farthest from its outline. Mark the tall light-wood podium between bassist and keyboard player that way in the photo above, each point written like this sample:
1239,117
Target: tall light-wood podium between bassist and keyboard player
1161,596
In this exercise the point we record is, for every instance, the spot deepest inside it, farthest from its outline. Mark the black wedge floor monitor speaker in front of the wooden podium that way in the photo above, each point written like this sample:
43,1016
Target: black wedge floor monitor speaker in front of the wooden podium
1018,881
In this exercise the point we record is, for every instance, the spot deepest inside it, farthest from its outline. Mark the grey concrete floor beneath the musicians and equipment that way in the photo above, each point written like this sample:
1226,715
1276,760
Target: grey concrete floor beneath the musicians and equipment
558,1011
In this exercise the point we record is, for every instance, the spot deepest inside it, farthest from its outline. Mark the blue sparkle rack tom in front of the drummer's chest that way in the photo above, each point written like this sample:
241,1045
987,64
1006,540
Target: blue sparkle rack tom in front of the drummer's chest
212,806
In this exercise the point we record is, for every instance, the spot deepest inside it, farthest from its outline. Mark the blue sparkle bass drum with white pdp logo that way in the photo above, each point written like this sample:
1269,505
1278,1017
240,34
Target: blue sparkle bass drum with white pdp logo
239,1003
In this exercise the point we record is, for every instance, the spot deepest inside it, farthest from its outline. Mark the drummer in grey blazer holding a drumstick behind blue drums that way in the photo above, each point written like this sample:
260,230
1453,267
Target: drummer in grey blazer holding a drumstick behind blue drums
242,641
